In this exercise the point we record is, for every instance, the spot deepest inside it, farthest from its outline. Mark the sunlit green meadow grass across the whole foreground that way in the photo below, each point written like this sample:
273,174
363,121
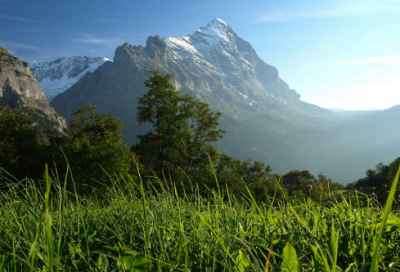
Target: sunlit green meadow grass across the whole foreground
49,229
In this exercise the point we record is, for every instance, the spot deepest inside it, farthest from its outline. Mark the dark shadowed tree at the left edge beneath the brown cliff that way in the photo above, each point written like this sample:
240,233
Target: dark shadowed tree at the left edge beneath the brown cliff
20,147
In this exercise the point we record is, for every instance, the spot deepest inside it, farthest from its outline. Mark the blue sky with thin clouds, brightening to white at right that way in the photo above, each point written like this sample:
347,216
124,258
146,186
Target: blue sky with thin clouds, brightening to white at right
336,54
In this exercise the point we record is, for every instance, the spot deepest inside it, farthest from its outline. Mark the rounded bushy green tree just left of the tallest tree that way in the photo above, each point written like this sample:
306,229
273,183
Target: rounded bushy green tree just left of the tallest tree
94,148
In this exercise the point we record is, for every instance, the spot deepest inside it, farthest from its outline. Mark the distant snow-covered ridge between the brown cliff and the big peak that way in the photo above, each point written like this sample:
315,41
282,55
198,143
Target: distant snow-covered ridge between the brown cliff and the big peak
57,76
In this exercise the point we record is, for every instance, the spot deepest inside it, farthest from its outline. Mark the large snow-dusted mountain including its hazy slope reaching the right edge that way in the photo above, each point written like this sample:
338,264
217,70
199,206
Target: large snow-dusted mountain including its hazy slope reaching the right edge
264,118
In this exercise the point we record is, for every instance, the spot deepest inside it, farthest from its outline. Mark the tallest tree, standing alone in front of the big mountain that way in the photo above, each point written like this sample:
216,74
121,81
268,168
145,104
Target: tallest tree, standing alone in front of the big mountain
182,129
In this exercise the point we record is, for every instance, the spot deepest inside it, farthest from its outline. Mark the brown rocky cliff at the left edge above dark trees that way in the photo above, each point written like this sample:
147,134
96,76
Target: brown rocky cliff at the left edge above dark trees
19,89
